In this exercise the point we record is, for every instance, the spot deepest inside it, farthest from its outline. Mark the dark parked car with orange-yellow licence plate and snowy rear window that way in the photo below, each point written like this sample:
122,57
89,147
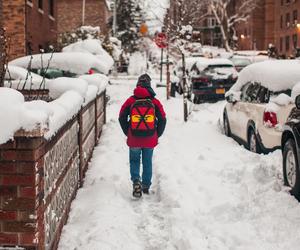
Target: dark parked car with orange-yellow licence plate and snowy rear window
211,78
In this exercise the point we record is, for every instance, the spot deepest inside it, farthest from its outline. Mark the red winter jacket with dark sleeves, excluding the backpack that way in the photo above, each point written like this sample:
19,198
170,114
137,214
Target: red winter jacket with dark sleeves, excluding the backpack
142,142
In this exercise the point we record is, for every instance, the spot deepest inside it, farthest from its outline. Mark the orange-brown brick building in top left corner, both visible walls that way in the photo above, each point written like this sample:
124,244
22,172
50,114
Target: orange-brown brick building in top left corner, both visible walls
30,25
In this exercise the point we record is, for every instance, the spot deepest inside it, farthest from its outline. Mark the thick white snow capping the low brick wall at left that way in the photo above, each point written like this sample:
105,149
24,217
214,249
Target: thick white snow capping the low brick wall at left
70,95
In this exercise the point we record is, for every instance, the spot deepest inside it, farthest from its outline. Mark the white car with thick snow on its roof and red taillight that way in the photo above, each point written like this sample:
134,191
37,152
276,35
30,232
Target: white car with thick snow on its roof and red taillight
259,103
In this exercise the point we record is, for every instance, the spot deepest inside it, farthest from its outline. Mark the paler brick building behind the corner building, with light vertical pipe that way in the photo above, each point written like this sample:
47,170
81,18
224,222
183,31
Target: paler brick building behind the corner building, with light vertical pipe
75,13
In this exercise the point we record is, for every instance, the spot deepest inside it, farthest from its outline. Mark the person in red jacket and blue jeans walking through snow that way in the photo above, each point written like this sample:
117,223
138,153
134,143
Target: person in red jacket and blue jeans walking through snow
143,120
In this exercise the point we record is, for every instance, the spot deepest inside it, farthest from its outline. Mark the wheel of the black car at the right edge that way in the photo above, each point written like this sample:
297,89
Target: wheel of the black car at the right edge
291,168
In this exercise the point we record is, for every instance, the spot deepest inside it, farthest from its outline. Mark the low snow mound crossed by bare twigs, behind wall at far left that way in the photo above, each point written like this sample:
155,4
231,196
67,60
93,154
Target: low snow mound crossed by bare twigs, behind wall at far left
20,78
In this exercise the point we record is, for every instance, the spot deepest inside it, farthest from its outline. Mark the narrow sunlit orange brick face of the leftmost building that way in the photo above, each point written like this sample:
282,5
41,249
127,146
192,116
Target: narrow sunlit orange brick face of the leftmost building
14,22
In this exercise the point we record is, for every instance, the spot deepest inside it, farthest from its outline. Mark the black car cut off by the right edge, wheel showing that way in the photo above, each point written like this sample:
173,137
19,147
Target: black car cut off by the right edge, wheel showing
290,144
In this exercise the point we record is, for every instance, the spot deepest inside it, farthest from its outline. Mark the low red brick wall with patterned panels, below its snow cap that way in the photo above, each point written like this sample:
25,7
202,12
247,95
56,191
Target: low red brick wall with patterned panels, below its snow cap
39,179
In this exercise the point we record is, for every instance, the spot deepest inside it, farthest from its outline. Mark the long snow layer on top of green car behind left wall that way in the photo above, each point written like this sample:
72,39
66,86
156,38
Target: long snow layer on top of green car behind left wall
75,62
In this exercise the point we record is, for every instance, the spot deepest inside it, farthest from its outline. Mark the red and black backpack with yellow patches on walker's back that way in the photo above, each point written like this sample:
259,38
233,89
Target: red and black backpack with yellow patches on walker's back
142,118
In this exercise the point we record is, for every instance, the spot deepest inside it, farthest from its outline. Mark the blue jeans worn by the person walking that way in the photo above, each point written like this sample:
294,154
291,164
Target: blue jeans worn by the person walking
135,160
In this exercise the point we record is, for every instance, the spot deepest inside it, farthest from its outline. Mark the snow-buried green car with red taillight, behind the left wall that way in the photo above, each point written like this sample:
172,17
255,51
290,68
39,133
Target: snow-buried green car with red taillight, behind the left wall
66,64
